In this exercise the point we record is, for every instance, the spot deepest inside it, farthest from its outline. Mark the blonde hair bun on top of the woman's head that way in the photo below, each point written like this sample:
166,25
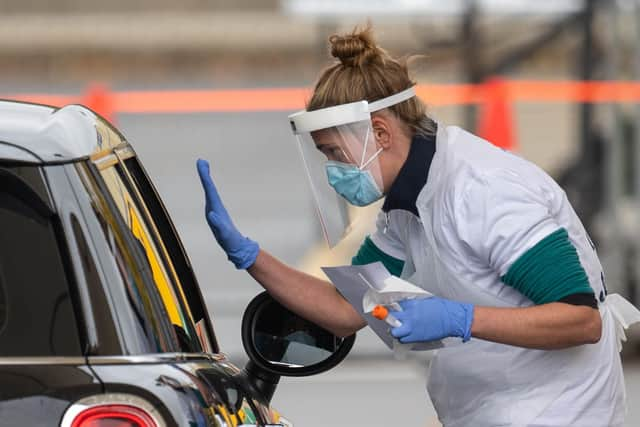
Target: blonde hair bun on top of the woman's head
355,49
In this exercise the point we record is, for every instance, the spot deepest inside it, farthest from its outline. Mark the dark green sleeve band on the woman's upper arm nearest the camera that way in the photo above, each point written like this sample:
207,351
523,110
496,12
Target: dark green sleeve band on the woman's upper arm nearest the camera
549,271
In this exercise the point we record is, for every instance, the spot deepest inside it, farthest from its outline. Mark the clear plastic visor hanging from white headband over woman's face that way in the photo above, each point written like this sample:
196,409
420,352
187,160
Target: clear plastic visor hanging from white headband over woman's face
350,144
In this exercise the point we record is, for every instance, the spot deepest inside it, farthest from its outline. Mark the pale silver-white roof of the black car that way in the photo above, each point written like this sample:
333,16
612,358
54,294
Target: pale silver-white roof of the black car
41,134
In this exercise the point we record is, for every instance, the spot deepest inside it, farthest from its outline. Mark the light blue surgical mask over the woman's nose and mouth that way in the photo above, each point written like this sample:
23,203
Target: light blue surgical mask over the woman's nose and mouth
357,186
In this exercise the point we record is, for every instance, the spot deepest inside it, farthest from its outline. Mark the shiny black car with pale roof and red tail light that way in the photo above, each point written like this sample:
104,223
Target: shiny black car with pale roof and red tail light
102,322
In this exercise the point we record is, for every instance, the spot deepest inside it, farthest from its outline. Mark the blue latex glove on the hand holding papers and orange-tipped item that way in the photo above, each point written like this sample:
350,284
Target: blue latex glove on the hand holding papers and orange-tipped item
430,319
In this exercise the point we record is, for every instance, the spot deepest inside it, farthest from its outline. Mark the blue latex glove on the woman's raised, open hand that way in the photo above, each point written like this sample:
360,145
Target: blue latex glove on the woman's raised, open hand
241,251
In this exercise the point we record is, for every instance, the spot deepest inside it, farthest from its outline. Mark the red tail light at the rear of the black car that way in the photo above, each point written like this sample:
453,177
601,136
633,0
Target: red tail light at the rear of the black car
113,416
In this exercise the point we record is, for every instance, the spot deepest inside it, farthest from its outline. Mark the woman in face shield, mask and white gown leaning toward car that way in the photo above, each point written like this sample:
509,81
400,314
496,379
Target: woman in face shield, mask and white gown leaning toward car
491,235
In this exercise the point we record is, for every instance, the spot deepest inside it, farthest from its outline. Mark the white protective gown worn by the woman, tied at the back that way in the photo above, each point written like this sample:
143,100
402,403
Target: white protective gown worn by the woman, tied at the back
480,210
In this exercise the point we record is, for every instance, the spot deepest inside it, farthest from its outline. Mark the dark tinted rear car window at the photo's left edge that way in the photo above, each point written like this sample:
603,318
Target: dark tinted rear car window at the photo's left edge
36,311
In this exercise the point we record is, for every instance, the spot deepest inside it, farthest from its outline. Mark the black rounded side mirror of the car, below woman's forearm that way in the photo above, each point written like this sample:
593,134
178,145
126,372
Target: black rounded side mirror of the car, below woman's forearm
283,343
